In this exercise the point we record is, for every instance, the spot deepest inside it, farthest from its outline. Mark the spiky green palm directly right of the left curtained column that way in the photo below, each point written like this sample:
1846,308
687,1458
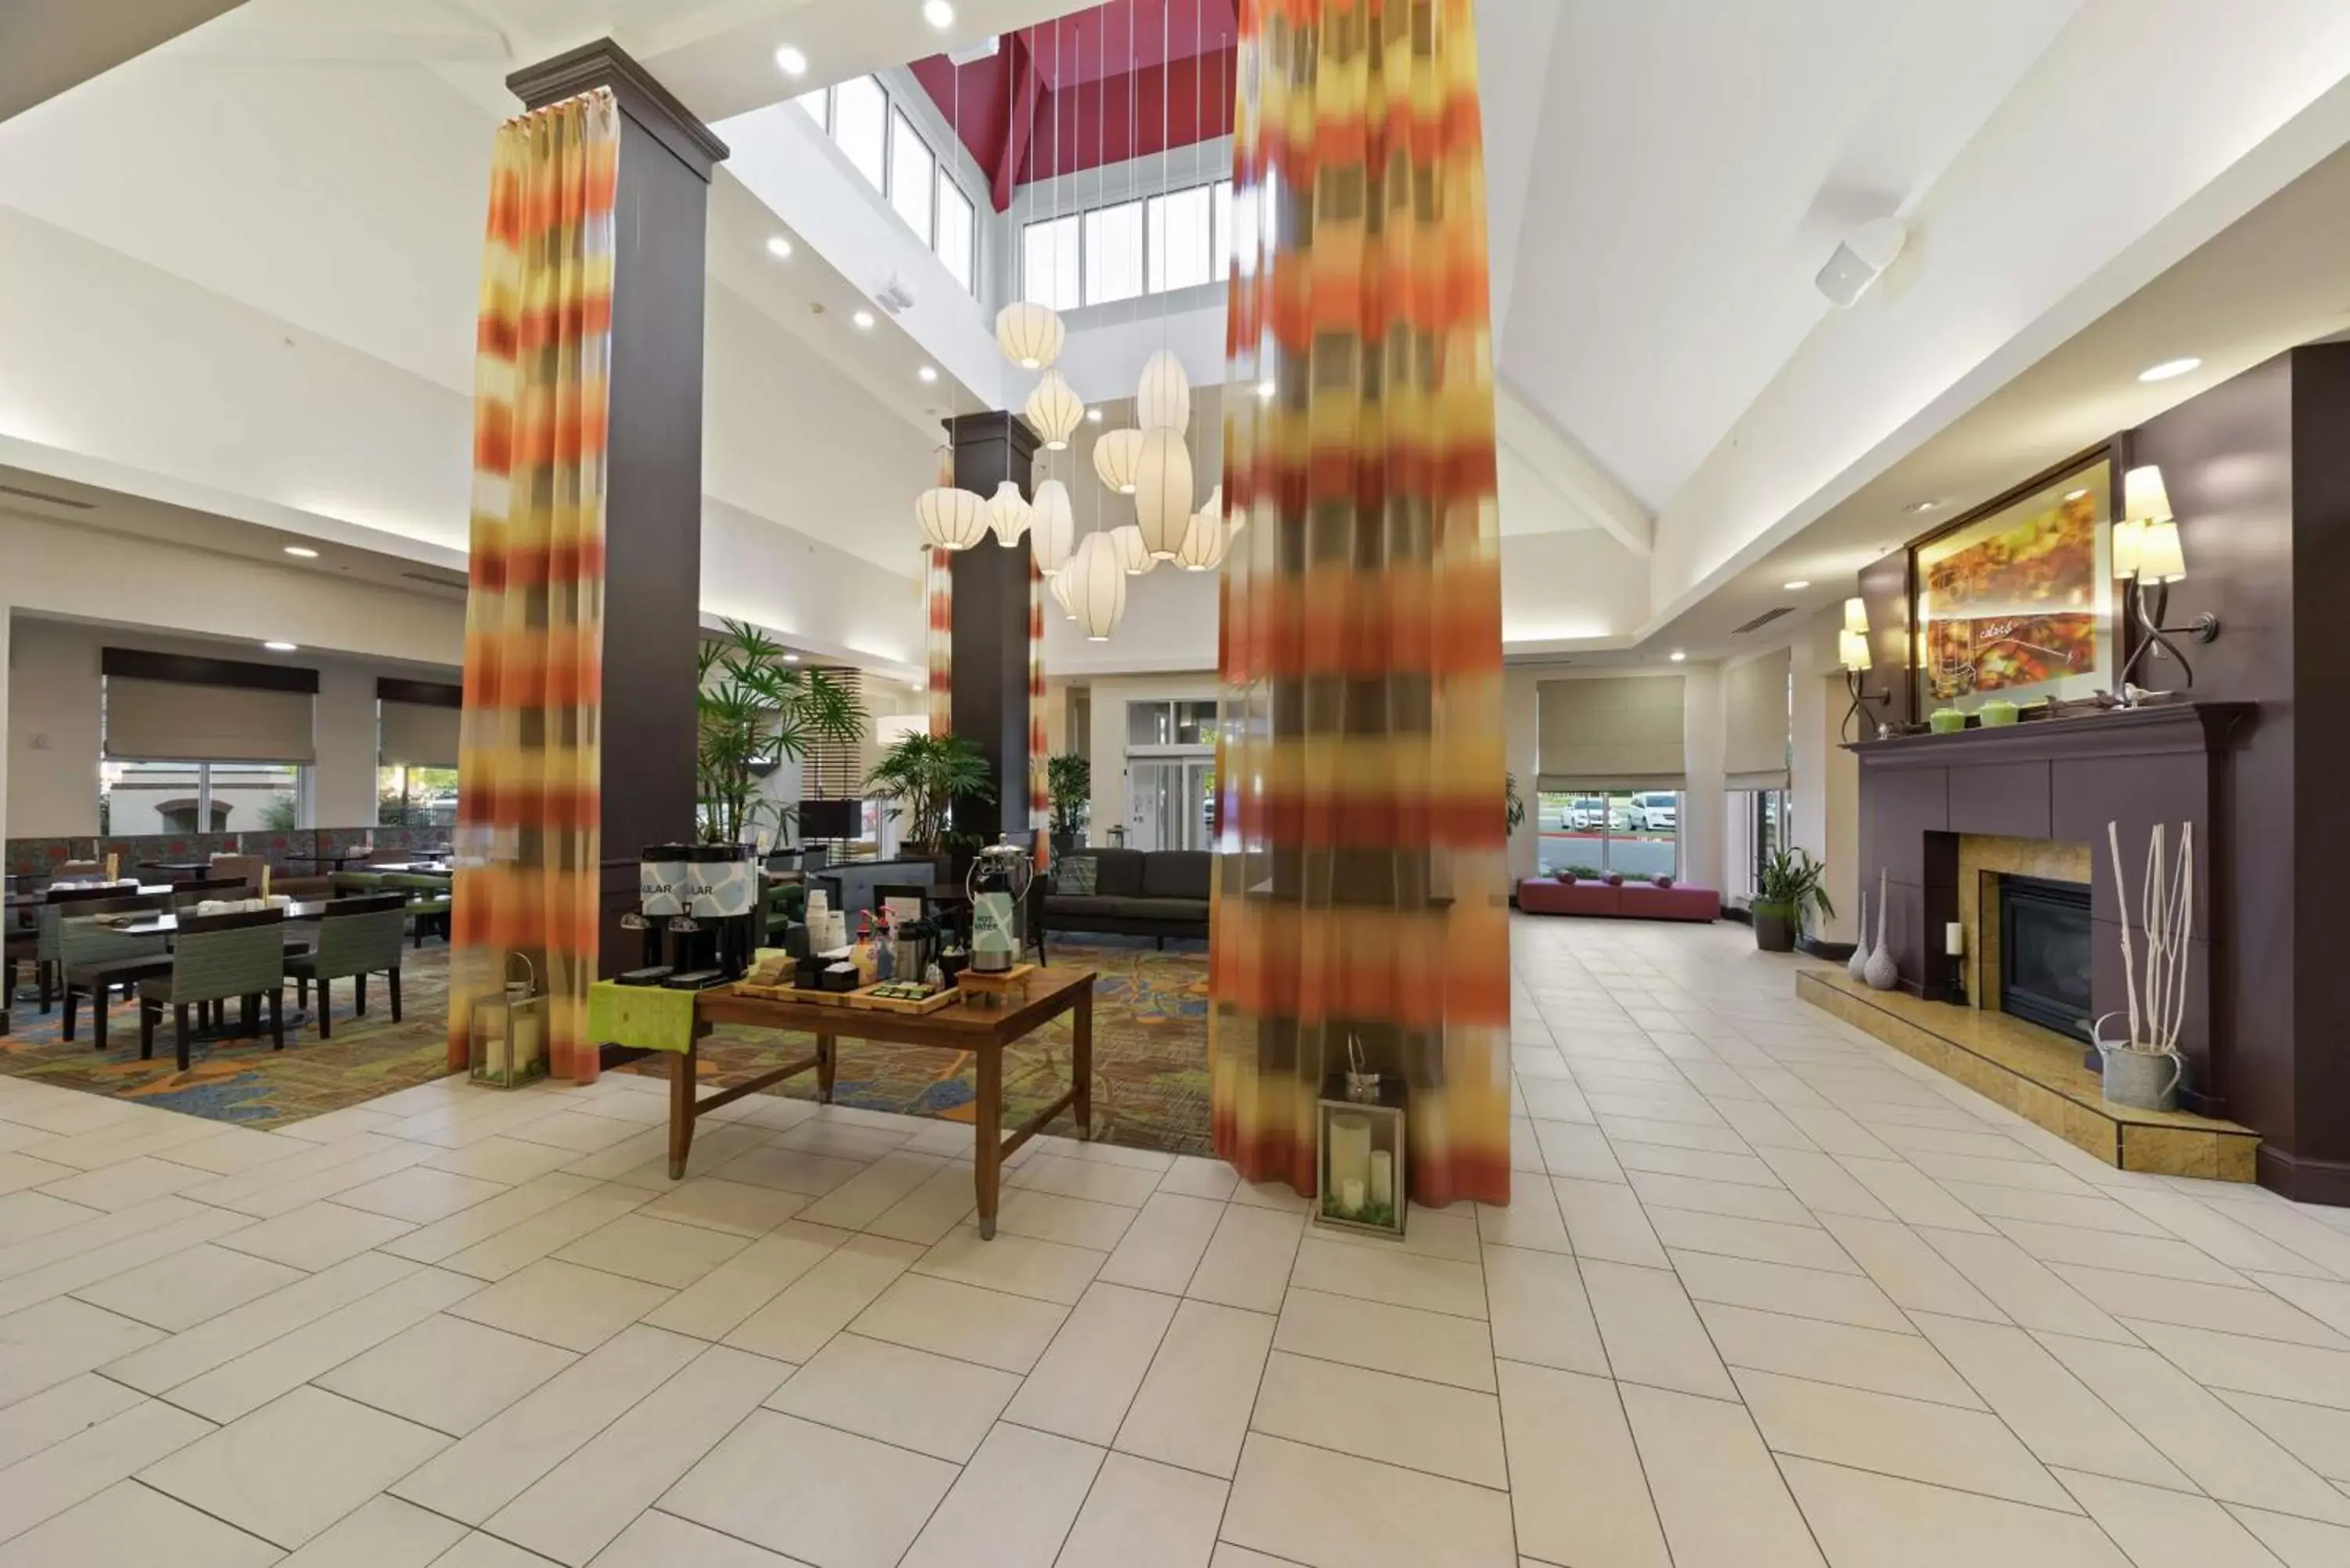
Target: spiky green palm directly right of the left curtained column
751,713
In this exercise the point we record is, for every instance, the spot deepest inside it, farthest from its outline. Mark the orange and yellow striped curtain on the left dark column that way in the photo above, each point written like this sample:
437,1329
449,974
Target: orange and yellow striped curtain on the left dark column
535,615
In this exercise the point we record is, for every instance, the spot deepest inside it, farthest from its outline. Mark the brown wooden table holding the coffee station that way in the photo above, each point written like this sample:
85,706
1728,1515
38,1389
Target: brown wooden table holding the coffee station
981,1031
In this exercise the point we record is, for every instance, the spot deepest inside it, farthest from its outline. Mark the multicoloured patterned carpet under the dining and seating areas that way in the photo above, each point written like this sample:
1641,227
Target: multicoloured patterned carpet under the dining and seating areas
1150,1057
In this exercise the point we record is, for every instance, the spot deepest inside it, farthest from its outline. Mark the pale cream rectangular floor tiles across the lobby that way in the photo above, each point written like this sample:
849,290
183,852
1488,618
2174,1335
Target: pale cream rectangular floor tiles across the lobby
1766,1296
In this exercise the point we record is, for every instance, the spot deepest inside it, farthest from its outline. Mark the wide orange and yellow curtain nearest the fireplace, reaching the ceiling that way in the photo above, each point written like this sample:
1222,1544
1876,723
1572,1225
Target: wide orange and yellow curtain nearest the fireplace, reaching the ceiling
1359,876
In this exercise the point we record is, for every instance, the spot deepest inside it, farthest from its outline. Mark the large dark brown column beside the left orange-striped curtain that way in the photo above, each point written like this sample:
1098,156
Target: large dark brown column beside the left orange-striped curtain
654,488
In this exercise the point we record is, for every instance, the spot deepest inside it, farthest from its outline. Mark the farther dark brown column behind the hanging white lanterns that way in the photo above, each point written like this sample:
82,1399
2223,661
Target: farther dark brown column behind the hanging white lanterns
991,624
